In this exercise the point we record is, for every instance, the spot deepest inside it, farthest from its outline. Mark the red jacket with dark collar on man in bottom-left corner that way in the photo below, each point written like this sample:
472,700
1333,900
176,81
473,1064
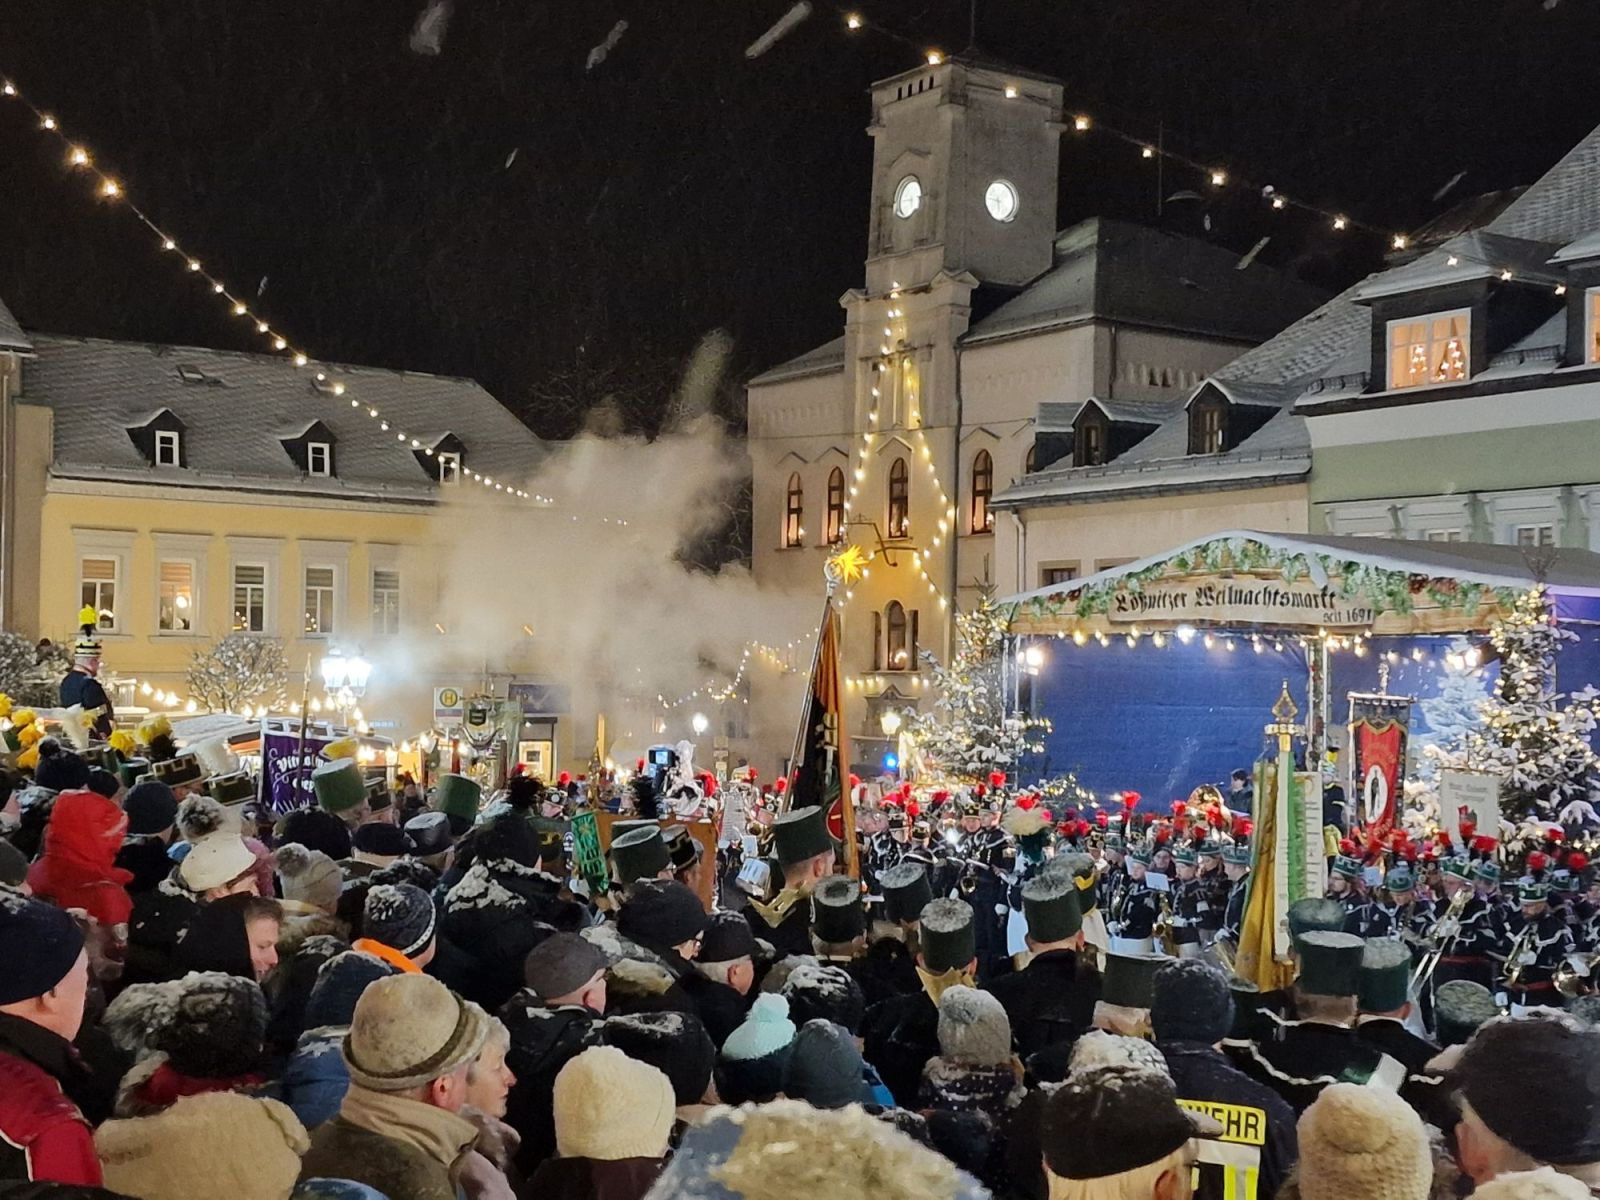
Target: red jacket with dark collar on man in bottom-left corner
42,1134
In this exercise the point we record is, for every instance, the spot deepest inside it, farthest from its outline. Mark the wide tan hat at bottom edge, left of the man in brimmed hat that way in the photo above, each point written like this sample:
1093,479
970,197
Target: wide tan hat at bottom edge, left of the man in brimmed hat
218,1143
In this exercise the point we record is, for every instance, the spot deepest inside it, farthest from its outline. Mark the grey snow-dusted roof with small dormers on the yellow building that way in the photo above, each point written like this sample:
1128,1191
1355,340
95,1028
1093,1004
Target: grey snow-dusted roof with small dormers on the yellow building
236,409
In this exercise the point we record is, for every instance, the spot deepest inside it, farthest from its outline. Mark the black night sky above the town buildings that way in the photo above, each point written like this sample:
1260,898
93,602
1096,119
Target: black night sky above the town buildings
679,186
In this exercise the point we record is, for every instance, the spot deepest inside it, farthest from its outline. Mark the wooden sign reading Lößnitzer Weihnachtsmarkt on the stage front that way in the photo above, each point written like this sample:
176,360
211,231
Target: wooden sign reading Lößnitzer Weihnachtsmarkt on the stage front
1239,601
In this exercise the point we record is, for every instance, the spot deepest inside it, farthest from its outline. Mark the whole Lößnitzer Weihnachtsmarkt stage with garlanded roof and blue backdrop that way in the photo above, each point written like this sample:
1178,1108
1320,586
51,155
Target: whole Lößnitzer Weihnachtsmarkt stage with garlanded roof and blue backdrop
1414,666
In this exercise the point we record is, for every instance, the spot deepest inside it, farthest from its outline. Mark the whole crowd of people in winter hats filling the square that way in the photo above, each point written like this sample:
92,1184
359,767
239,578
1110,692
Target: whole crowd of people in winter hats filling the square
422,999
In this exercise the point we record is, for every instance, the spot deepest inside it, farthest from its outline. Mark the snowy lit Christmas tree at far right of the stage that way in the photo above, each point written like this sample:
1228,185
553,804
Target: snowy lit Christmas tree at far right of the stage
1535,738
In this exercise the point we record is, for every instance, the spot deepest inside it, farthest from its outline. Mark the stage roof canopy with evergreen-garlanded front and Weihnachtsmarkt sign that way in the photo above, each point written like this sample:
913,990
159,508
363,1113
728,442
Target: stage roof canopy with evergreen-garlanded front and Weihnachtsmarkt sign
1247,577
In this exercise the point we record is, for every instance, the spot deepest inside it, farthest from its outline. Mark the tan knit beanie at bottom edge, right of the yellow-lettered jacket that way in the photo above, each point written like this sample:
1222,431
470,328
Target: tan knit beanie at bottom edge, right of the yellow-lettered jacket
1364,1143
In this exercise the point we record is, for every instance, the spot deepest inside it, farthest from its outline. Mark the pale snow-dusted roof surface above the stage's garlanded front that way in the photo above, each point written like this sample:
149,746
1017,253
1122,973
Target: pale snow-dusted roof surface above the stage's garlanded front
1569,572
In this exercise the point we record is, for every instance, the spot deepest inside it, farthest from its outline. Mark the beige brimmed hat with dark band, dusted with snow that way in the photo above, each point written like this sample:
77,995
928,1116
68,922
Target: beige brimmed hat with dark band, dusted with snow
410,1030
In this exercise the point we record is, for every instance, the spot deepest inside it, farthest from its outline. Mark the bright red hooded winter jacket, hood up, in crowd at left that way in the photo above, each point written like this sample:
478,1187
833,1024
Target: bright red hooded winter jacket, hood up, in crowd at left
79,866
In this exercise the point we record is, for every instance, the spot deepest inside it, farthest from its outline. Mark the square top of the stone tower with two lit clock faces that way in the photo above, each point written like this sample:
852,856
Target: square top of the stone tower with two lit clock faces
964,174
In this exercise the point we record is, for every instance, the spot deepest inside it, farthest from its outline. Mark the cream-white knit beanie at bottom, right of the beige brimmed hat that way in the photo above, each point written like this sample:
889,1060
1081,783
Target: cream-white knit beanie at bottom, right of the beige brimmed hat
610,1106
